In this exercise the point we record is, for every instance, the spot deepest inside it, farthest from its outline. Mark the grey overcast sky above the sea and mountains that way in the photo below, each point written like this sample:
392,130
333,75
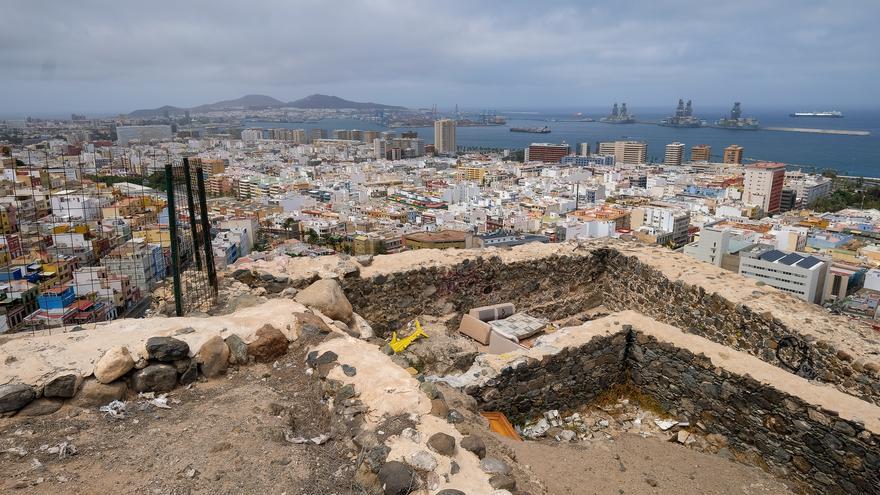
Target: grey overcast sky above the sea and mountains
103,56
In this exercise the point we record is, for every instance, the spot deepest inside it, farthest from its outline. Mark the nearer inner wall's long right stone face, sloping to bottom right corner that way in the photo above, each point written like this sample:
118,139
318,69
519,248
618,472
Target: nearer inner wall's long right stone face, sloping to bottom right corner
815,447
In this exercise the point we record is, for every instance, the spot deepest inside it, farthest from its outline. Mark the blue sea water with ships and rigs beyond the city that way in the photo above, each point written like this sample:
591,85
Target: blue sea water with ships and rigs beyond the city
848,155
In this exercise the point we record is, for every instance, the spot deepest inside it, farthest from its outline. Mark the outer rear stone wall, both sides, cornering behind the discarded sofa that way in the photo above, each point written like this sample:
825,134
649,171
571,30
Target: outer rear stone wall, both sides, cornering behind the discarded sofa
572,280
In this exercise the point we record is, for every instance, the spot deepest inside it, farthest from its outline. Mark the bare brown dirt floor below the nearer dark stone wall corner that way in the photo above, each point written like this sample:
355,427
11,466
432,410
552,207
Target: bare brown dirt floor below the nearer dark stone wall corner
635,465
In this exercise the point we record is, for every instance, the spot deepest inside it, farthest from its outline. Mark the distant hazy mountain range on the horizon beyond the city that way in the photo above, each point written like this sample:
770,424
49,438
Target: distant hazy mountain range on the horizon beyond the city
258,102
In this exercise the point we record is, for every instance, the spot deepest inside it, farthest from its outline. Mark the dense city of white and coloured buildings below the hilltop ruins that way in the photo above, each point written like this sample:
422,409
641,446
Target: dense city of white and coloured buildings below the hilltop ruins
86,223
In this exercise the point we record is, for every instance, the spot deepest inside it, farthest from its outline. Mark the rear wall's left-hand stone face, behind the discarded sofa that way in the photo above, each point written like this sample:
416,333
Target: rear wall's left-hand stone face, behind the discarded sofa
554,287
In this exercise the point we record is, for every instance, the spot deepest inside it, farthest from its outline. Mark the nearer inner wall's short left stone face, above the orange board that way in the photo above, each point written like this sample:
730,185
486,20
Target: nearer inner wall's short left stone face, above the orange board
570,378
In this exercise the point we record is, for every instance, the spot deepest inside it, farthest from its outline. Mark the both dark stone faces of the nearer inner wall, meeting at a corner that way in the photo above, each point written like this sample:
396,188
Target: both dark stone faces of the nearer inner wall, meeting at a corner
796,440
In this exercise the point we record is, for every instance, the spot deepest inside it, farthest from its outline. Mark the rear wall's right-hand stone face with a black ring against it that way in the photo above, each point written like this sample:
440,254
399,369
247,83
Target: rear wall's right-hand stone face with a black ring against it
630,284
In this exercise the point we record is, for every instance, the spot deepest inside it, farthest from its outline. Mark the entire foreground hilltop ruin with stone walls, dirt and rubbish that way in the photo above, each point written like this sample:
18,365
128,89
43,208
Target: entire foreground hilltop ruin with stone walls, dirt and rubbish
603,367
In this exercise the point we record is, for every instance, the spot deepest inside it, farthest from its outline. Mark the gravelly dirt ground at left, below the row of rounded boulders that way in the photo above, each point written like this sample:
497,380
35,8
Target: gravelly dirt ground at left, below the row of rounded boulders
222,436
